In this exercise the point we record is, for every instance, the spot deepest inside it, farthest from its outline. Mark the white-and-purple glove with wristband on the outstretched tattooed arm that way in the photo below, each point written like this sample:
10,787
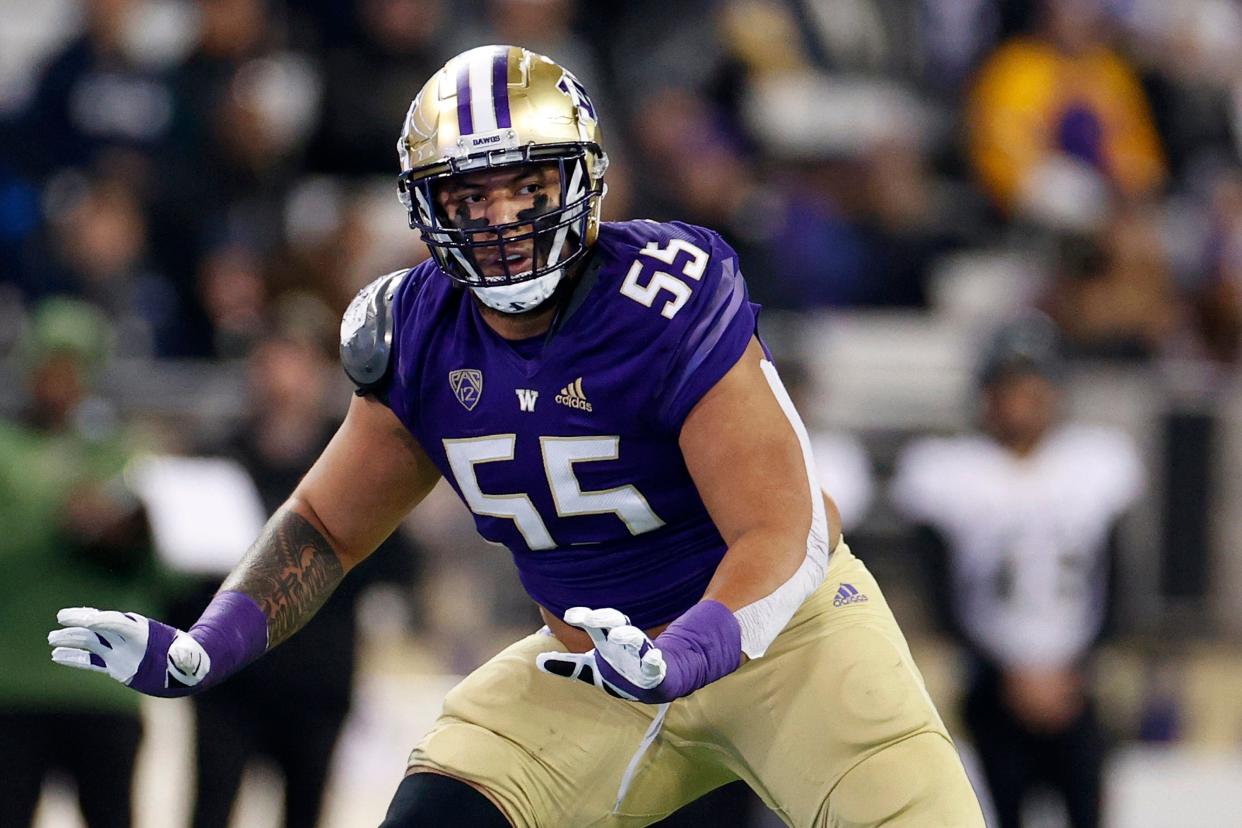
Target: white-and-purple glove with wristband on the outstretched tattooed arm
158,660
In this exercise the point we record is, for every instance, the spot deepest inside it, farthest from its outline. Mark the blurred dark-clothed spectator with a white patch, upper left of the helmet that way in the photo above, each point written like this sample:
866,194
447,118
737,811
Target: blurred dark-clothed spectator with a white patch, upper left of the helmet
245,111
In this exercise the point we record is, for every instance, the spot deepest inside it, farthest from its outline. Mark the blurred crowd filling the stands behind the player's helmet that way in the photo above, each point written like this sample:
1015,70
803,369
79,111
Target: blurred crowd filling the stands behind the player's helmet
201,169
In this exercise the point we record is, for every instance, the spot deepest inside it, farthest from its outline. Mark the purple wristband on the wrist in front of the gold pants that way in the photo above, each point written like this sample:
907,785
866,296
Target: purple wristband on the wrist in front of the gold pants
702,646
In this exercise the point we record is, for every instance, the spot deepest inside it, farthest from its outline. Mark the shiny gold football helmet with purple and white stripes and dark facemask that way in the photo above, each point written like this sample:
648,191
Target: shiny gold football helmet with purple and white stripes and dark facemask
492,107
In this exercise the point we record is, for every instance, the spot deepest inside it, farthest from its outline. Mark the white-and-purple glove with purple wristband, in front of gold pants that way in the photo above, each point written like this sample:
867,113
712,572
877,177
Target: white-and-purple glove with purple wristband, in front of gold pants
702,646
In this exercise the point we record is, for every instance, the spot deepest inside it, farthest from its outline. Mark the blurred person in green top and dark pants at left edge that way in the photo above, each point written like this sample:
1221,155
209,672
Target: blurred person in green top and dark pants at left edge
73,531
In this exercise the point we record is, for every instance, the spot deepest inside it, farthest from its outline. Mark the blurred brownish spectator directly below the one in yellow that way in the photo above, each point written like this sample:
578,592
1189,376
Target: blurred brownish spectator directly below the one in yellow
1113,292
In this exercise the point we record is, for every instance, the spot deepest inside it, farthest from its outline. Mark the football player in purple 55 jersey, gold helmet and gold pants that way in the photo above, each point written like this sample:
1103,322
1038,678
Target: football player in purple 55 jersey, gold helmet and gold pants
598,397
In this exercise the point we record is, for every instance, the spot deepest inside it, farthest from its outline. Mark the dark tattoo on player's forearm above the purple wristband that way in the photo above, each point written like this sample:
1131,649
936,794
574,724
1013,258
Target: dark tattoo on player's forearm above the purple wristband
290,573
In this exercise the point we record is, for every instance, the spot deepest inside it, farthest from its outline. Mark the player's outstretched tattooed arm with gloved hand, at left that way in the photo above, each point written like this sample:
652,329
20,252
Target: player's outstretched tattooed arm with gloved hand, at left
366,482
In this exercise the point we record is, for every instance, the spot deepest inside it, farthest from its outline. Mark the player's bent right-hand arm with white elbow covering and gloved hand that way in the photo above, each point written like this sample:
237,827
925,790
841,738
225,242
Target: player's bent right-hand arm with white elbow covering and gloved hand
748,455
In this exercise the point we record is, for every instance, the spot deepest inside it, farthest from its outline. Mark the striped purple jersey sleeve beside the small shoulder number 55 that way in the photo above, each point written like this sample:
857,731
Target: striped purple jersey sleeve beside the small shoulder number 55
709,336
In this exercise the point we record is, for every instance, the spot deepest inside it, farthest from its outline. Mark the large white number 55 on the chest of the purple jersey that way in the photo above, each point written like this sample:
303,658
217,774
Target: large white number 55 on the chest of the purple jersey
560,455
